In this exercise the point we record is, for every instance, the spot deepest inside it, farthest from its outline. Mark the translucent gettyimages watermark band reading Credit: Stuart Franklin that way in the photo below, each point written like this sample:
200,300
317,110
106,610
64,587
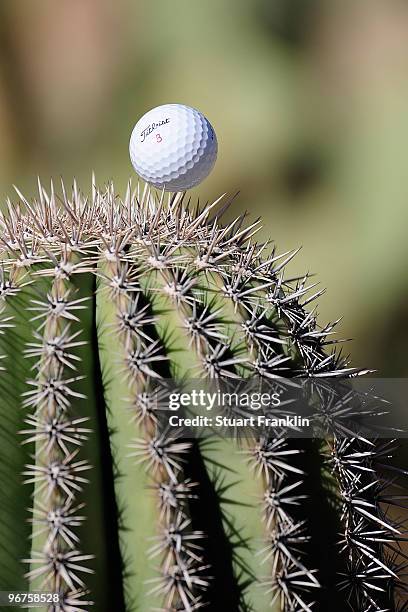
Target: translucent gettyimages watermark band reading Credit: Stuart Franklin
312,408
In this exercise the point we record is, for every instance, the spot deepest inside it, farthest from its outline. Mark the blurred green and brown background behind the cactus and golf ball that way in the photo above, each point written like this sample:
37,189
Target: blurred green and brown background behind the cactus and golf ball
309,99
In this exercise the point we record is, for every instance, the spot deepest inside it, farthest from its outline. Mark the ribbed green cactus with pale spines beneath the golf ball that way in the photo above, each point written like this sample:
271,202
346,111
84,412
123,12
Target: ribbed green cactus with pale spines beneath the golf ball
102,300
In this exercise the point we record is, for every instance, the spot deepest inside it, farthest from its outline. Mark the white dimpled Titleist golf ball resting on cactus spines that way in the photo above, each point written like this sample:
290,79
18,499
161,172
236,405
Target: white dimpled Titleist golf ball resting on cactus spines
173,147
